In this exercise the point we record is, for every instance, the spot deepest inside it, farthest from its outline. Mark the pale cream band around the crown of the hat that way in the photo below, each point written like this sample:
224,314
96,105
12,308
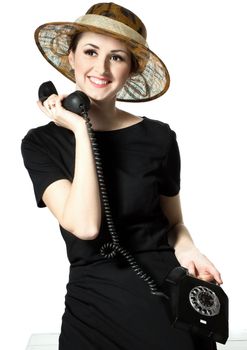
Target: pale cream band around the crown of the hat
112,25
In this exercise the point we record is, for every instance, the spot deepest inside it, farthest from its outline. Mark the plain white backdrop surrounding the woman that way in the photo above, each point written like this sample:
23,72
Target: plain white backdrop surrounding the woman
203,44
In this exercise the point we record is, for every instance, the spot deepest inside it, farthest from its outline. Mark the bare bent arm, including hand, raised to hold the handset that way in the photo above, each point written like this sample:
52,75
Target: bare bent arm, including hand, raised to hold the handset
76,204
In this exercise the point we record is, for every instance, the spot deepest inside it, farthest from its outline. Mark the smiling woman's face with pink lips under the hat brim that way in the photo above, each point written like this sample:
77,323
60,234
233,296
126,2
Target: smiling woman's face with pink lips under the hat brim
102,65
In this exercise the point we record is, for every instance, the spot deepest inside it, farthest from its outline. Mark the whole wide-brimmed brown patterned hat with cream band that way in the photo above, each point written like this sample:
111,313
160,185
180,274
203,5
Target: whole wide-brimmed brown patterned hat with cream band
151,79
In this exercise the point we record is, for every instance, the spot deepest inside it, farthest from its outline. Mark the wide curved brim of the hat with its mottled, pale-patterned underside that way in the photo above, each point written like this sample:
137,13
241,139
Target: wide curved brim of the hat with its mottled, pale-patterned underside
150,82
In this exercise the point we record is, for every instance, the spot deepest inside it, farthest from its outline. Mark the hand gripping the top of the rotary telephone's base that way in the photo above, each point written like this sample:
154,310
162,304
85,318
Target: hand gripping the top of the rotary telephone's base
198,265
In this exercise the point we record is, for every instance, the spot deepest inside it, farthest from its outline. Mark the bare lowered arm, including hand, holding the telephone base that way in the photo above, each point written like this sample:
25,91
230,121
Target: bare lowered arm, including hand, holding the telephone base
180,239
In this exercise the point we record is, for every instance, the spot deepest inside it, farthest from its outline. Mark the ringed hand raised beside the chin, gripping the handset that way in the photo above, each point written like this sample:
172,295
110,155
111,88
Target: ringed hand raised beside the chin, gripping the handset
52,107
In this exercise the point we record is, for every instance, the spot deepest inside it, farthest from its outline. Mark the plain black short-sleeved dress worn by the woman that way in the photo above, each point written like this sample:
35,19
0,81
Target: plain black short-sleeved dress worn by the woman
107,306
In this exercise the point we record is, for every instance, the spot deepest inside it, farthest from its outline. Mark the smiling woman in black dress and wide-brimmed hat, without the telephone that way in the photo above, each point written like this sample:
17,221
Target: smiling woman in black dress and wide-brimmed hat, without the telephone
107,305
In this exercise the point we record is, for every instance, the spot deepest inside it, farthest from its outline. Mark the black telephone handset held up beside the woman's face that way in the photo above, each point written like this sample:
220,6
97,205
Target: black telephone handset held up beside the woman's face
77,102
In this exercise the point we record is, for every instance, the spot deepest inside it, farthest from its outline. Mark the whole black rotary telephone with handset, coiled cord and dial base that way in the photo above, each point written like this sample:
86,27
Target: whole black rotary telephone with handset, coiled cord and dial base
195,305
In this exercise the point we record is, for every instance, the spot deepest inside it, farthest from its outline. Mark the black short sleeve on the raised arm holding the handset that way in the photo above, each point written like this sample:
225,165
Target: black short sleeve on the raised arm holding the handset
41,168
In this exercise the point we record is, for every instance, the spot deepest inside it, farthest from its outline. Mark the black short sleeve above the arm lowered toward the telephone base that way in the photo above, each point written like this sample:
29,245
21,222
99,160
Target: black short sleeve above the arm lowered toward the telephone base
170,169
